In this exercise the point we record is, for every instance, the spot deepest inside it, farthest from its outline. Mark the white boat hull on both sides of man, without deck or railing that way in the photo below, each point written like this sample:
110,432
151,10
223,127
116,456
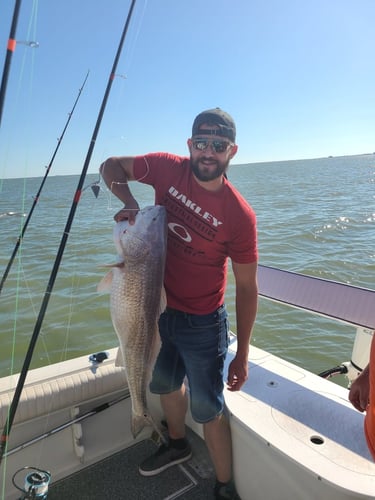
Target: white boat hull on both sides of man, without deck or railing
295,436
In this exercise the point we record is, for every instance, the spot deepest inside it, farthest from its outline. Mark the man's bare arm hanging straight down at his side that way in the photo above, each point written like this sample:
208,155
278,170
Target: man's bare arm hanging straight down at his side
246,309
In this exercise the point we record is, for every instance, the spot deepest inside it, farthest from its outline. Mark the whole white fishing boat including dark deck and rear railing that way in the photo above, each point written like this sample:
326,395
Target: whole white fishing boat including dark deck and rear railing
295,434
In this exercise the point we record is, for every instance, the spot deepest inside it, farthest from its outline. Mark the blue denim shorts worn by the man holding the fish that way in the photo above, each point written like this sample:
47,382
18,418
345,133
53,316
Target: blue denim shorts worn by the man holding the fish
194,346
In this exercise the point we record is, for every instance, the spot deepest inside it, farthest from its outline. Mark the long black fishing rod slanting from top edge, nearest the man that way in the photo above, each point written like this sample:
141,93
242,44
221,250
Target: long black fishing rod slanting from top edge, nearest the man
21,381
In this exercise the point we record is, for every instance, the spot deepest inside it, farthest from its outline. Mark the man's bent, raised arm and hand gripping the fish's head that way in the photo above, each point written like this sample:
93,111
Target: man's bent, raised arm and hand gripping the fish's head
116,173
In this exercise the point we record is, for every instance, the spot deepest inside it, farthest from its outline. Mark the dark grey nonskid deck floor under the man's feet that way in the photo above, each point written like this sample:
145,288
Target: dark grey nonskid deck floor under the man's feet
117,477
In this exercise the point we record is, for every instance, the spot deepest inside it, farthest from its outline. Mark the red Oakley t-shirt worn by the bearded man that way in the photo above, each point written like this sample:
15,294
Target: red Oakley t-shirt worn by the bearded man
204,229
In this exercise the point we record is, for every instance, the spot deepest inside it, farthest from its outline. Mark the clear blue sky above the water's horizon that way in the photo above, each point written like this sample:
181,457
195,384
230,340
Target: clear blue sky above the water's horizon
296,75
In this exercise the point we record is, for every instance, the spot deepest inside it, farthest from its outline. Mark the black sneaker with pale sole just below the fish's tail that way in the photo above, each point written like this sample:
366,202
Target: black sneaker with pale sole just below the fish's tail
165,457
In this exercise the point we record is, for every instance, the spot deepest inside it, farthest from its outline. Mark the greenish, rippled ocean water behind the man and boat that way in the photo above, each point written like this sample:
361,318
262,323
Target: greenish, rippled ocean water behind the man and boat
314,216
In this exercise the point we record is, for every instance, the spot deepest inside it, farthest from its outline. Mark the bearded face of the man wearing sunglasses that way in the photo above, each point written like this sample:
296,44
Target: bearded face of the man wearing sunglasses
210,154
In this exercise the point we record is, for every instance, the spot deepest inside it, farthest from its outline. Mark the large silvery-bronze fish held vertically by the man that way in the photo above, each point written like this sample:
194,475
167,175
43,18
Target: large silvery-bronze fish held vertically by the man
137,300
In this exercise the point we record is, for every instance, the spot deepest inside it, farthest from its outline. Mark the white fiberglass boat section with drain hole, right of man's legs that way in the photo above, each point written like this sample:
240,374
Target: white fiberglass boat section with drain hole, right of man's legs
296,436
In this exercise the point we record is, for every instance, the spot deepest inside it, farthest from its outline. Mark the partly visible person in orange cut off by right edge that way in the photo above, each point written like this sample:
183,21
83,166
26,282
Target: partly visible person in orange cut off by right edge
362,397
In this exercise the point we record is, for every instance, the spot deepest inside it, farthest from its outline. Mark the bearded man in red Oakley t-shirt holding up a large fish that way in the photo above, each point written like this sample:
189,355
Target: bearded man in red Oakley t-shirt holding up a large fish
208,222
